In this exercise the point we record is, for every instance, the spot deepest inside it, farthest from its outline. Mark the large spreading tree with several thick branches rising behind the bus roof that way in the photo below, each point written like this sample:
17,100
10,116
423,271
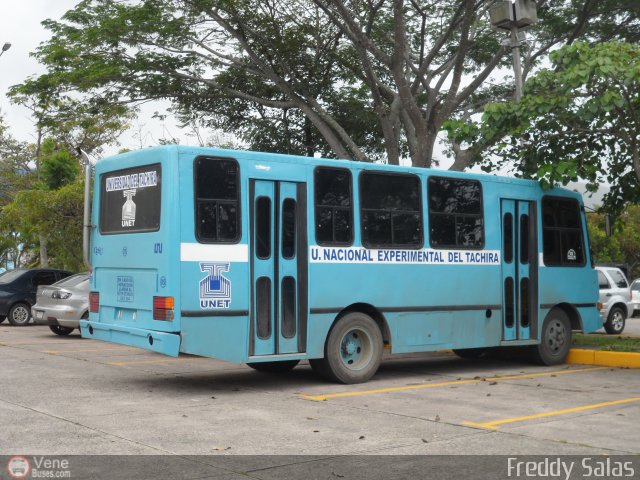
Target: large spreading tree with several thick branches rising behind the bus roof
367,80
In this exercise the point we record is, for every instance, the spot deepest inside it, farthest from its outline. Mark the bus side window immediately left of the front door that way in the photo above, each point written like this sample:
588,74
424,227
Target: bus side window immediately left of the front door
456,218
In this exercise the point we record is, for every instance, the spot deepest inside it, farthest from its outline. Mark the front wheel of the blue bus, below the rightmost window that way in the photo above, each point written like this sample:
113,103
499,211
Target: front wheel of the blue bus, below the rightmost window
556,339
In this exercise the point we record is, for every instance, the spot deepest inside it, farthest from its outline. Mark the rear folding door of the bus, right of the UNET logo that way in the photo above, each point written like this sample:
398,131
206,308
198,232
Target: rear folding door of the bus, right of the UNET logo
279,267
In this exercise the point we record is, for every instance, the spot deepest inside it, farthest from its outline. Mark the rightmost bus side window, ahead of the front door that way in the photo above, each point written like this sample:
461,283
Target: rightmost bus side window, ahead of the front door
562,242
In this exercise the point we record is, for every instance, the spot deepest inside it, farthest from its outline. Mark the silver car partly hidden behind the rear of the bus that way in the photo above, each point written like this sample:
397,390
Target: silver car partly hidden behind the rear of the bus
63,304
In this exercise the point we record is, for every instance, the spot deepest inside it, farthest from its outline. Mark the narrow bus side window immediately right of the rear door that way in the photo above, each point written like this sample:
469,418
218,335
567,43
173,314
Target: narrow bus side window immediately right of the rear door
333,206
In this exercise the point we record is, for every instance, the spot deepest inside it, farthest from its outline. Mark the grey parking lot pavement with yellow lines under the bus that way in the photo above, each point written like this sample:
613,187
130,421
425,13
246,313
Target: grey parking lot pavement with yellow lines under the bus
63,395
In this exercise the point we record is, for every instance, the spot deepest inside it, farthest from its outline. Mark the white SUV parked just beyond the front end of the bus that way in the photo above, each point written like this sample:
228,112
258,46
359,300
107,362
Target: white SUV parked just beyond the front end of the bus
615,299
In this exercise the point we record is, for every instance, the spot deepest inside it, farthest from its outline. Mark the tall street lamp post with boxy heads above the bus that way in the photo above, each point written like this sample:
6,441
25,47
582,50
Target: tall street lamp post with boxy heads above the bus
514,15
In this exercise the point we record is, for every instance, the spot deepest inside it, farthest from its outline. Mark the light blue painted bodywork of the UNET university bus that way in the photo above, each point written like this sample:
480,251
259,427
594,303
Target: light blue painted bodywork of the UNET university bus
428,298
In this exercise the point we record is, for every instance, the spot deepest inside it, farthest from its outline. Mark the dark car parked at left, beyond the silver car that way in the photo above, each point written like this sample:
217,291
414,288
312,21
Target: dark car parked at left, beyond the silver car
18,291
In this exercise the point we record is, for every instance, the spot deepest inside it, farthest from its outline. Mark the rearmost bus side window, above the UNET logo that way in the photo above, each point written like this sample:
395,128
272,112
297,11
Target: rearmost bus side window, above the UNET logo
217,199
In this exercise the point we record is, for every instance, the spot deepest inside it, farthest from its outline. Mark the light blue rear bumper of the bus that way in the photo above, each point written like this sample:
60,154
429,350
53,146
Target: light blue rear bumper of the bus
161,342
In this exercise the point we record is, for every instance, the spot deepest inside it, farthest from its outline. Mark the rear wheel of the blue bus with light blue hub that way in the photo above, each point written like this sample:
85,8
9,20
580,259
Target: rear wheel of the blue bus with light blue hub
353,351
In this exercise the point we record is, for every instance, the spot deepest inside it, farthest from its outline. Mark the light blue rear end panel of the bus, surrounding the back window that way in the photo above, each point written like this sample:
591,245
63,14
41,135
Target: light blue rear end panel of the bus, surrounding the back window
130,269
